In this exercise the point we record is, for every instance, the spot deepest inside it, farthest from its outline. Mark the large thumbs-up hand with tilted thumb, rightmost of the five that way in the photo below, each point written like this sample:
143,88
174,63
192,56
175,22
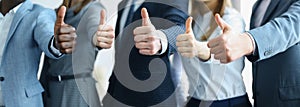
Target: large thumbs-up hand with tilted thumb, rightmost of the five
230,45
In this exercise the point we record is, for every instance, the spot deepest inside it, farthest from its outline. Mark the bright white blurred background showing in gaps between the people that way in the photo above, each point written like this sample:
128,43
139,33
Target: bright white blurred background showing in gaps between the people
104,64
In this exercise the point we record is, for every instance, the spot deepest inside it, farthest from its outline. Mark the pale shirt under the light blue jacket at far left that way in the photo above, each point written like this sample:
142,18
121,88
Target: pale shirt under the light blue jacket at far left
5,23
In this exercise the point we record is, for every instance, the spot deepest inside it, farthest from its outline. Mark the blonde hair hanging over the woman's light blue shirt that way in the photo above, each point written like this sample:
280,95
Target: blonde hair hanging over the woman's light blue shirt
220,9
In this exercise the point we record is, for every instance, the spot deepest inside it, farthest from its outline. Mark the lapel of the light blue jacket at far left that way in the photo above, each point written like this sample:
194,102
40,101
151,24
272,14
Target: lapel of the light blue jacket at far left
22,11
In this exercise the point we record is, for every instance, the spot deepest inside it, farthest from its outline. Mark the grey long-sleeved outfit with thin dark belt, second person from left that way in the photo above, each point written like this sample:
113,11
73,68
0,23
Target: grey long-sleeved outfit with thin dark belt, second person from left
79,92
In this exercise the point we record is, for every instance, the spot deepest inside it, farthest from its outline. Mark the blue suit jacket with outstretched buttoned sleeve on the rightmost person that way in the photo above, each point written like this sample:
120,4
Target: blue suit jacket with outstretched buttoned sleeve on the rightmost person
276,62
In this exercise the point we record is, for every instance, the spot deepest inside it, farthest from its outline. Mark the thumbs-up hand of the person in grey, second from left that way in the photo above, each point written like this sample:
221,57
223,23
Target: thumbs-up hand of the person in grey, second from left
105,35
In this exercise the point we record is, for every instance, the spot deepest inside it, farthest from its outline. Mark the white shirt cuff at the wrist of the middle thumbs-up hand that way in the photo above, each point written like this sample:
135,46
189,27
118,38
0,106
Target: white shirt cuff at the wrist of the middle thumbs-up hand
163,40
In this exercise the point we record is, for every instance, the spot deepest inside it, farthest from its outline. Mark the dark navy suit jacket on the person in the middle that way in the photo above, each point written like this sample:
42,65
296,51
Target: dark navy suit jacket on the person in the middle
130,65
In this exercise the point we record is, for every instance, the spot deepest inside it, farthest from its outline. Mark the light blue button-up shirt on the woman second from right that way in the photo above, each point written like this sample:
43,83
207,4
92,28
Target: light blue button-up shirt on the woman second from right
211,81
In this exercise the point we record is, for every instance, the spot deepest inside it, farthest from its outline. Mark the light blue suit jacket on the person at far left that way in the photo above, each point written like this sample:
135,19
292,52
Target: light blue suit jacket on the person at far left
30,34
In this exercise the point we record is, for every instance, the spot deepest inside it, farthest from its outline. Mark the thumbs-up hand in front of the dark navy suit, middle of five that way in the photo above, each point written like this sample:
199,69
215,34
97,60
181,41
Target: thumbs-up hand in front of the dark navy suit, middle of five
145,36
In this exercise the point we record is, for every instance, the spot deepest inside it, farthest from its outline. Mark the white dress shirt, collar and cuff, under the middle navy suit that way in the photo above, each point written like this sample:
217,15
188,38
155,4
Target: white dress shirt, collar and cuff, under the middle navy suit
159,33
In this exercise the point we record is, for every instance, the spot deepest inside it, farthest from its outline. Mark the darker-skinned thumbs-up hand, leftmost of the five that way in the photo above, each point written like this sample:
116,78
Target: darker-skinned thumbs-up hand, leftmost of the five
65,34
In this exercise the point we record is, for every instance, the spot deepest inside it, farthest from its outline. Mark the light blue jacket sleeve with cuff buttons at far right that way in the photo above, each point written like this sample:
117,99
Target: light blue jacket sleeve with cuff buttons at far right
278,34
